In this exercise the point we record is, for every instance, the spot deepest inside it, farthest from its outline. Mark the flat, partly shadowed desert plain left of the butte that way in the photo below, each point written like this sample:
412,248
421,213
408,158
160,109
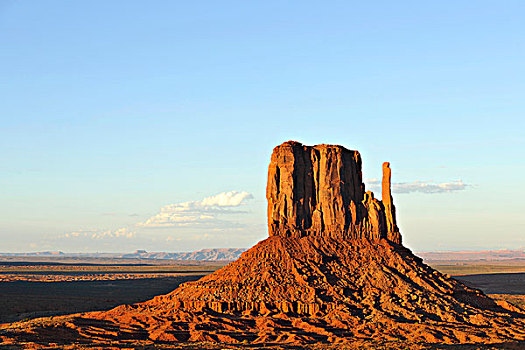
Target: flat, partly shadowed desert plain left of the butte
58,286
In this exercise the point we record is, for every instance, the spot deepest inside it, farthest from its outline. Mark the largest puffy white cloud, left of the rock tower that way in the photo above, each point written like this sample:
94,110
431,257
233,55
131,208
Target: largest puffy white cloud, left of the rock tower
204,212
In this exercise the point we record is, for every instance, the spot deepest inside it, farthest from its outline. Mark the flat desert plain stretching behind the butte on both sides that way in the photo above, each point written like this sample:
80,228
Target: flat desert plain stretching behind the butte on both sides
38,287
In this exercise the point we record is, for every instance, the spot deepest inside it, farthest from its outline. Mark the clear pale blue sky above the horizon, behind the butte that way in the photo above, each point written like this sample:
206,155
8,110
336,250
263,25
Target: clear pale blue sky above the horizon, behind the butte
111,111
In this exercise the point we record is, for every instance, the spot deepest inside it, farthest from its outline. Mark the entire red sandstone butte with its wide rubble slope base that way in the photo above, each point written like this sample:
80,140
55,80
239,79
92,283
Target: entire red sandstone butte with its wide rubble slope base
333,270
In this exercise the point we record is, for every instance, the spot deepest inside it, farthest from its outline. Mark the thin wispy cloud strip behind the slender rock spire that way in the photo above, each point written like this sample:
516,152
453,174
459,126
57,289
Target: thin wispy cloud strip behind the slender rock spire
420,186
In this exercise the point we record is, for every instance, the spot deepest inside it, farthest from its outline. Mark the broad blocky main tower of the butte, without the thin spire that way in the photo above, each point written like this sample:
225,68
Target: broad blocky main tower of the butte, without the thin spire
313,190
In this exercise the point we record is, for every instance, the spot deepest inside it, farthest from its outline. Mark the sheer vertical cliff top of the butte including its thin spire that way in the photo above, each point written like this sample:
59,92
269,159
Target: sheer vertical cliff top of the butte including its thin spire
319,190
